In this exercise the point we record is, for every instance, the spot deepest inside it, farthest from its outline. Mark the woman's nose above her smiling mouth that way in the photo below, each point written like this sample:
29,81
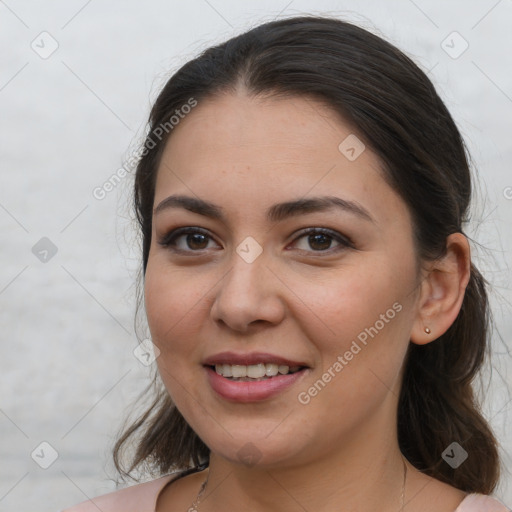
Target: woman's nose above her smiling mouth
249,294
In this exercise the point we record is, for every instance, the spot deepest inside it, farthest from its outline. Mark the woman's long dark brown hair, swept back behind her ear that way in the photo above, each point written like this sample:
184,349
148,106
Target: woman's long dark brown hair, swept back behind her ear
398,114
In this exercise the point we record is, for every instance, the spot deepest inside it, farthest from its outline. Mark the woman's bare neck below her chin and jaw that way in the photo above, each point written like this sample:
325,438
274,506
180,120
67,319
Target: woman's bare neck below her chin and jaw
366,475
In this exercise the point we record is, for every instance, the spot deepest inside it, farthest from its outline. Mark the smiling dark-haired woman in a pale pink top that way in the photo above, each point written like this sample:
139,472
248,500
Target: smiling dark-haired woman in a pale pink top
309,290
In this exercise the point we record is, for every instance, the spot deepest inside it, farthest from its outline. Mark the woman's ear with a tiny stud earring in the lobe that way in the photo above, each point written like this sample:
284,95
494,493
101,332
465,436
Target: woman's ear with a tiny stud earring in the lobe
442,291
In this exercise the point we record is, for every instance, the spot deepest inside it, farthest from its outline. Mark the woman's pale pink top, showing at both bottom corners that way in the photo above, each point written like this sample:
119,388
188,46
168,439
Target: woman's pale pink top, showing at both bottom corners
143,498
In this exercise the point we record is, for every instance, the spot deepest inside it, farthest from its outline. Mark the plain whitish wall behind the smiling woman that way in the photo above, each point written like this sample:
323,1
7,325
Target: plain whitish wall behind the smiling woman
67,371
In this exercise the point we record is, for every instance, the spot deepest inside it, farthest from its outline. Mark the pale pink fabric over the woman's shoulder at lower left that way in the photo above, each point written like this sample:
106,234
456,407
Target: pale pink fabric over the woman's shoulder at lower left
136,498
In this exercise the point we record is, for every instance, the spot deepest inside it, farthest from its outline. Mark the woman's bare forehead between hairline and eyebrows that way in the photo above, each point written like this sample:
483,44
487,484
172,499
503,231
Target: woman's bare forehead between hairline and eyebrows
255,151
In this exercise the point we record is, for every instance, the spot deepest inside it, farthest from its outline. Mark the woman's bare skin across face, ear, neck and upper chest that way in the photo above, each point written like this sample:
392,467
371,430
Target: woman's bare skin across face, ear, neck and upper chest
245,154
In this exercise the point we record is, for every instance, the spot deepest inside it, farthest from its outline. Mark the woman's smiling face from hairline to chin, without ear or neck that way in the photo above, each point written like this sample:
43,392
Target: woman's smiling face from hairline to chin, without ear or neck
248,288
